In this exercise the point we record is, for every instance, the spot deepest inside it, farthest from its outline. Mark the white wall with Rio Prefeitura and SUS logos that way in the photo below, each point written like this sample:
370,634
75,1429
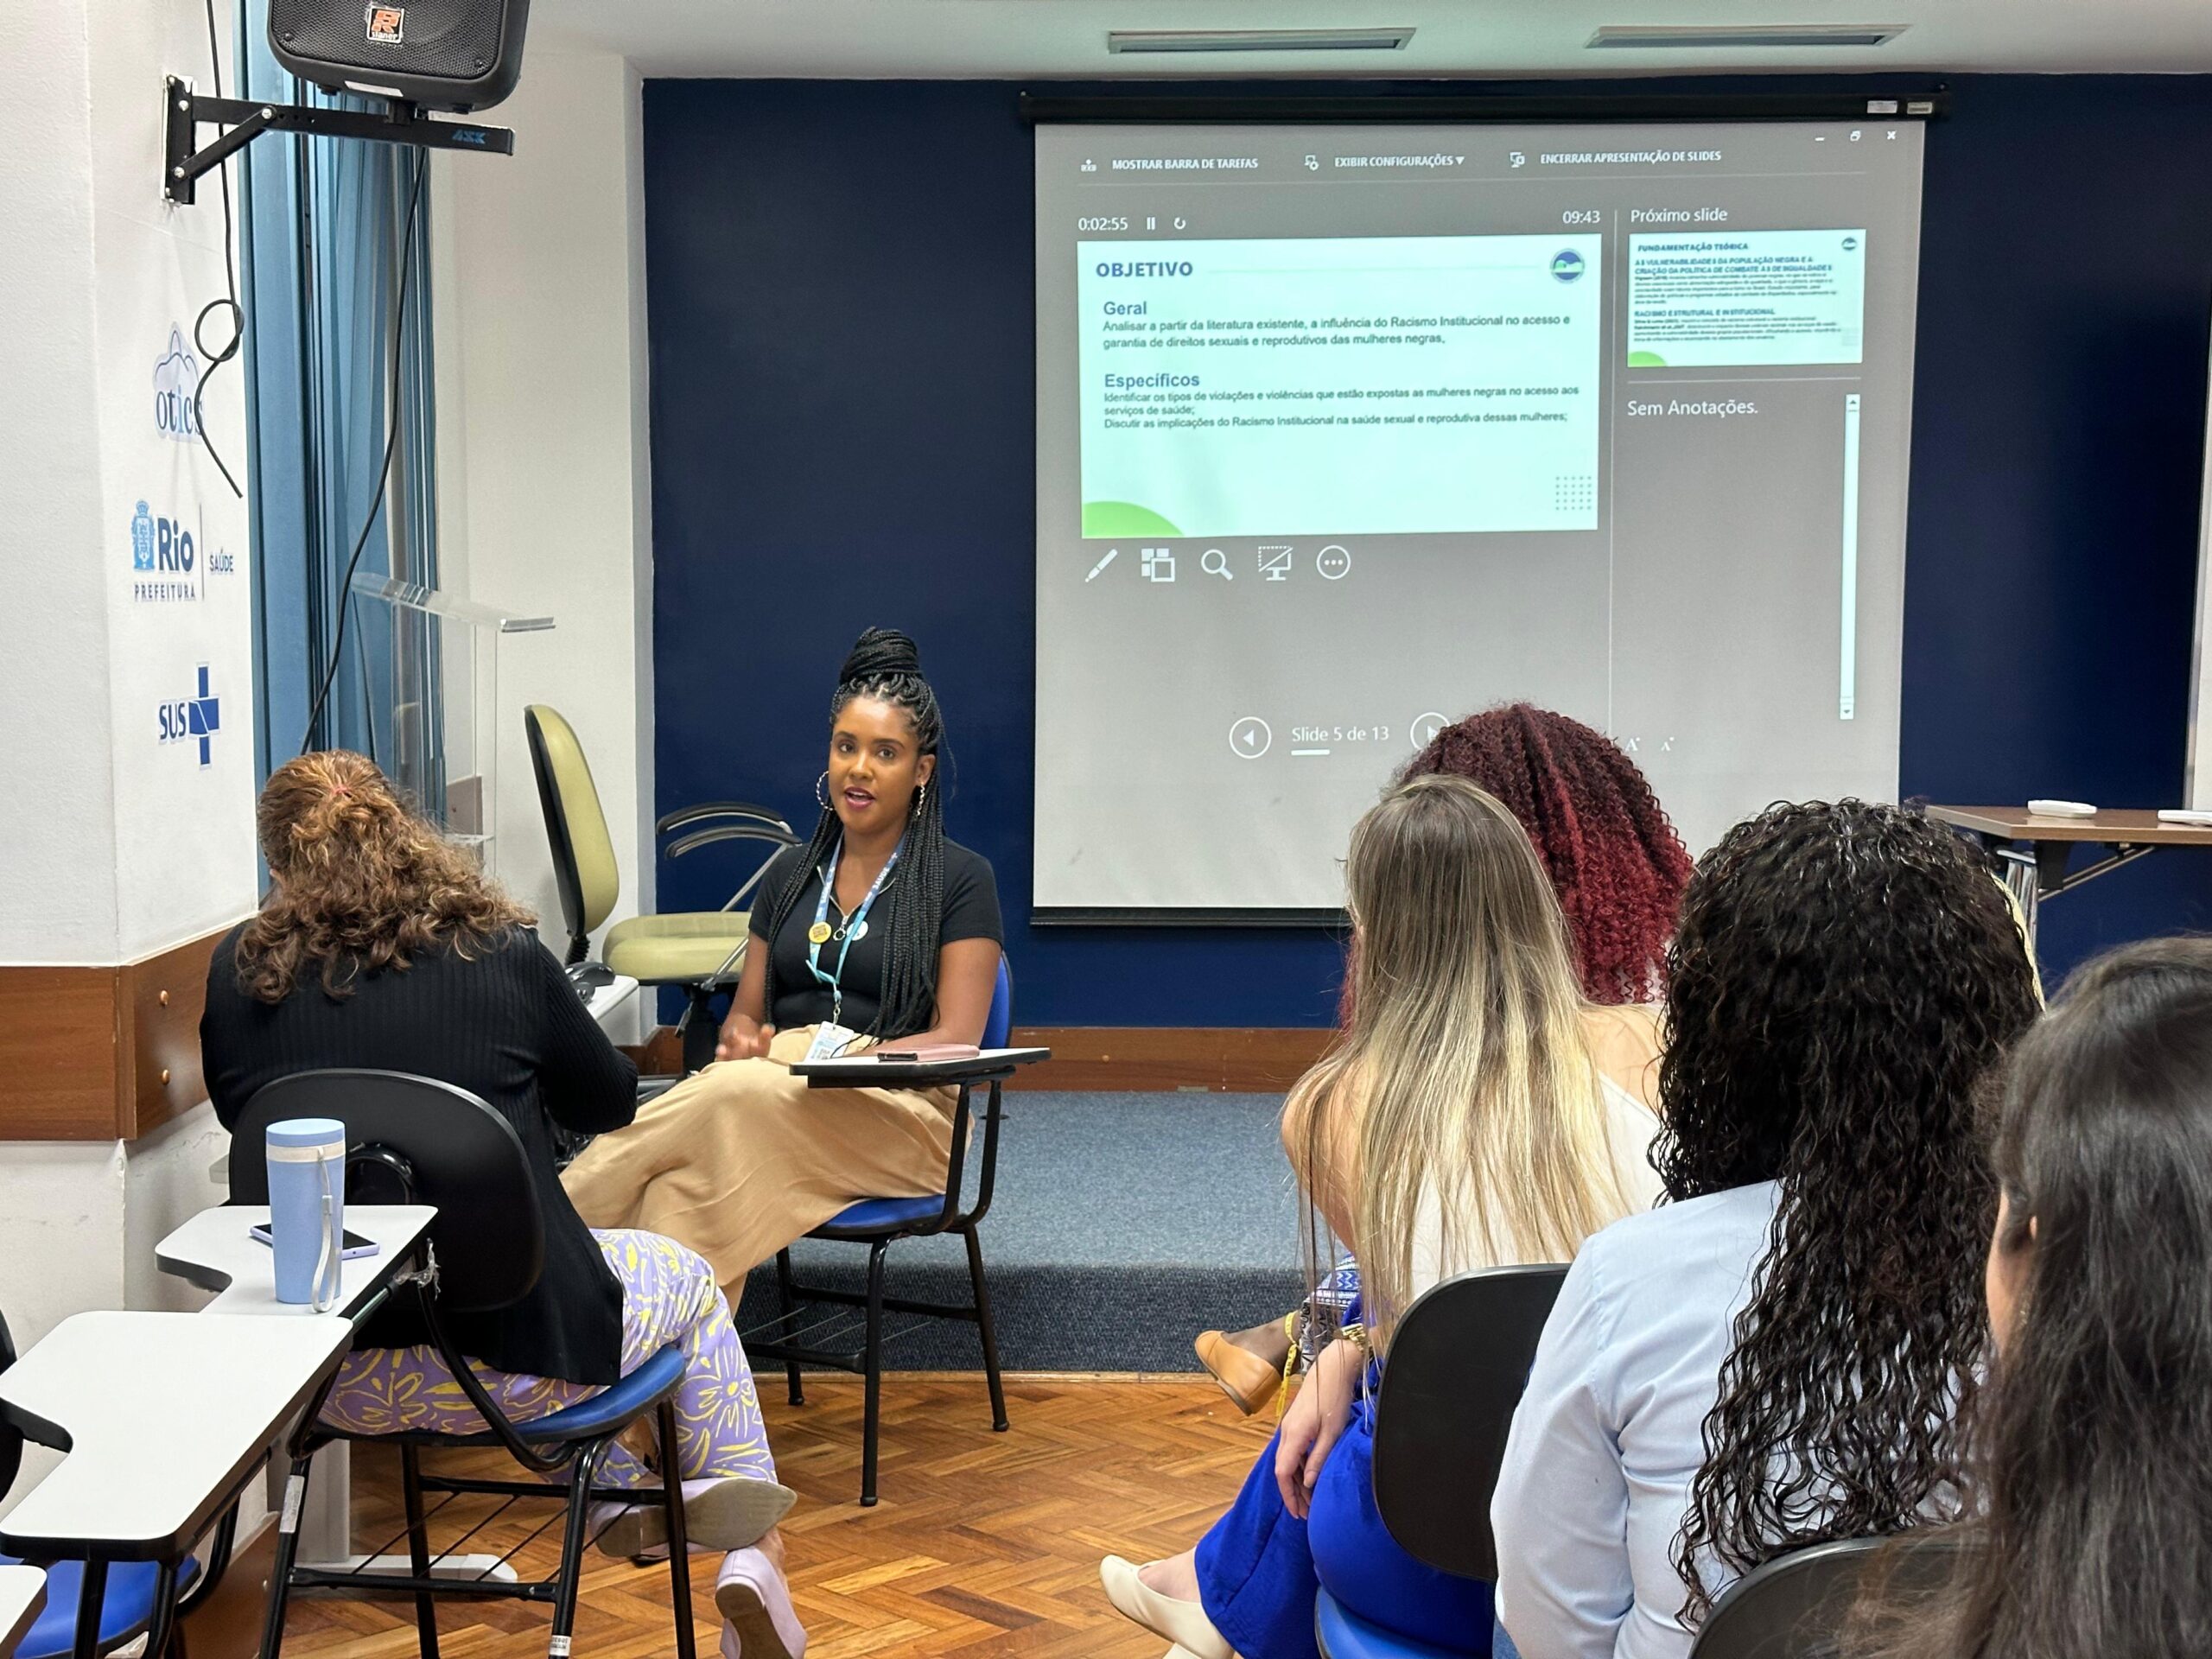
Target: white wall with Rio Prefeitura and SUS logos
118,844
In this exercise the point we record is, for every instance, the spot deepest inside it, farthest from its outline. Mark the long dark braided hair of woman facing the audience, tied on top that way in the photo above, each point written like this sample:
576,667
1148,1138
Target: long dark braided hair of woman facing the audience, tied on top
888,667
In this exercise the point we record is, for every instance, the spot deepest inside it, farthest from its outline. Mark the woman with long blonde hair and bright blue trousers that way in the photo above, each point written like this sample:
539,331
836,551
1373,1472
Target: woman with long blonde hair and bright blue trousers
1463,1120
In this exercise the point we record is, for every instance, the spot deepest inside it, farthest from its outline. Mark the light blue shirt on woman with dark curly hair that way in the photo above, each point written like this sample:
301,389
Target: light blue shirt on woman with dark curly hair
1611,1434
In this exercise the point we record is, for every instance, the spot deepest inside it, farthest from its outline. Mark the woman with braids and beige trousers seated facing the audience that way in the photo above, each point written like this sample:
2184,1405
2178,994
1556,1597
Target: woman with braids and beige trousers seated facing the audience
879,928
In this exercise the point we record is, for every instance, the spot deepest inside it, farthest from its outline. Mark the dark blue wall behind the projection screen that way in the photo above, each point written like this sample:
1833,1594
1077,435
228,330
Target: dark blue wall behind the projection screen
842,322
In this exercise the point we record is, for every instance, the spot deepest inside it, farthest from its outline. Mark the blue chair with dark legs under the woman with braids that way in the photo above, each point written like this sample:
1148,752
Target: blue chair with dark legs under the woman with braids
879,1224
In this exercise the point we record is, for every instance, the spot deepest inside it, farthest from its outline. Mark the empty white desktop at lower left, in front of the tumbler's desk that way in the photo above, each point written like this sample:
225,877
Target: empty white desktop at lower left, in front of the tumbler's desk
165,1419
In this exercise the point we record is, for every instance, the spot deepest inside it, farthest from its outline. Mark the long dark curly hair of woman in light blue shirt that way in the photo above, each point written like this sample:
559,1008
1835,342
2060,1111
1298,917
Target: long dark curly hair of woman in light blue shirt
1841,981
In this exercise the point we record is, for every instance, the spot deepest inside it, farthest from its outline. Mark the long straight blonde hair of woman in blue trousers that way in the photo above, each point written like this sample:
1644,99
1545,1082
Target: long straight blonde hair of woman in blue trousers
1468,1058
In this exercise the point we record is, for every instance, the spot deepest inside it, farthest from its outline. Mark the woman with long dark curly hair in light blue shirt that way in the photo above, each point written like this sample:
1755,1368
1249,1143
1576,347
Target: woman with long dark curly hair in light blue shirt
1775,1357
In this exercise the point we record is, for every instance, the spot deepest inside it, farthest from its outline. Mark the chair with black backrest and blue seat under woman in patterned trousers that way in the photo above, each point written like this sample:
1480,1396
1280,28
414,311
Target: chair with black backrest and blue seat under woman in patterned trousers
430,1142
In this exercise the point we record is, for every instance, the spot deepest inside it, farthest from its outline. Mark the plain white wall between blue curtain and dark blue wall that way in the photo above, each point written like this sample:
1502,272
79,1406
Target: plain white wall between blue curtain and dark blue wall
543,461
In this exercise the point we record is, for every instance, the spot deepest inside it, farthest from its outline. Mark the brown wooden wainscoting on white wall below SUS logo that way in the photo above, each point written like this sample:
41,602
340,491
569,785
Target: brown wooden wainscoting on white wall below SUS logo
98,1054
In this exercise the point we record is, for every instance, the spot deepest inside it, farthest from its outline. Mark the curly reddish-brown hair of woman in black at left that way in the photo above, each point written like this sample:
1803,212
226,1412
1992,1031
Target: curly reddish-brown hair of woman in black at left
357,881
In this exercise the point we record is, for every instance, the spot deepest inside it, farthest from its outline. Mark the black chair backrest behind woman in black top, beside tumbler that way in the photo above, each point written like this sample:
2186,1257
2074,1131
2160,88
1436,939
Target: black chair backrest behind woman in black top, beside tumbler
452,1149
